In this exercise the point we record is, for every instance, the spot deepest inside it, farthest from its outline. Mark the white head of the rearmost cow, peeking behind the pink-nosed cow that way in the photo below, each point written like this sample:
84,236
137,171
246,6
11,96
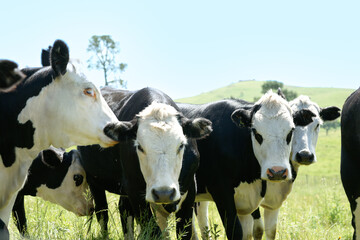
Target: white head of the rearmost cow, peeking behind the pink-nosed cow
305,137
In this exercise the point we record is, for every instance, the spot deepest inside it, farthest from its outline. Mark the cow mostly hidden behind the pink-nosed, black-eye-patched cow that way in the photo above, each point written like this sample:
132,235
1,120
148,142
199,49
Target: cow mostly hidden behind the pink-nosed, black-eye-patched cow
302,153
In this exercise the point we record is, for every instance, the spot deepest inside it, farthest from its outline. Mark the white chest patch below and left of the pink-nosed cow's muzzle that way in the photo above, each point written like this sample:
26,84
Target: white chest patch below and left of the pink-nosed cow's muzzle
247,197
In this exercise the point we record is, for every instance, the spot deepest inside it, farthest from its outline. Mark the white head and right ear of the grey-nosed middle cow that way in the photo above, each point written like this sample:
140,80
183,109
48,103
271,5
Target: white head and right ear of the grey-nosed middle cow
161,134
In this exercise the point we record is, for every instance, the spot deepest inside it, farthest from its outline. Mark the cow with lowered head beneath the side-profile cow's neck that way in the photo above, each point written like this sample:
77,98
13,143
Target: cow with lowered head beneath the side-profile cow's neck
56,176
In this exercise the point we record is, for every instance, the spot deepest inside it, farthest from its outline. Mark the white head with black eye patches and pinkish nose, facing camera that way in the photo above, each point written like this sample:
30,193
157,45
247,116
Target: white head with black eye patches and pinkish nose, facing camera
272,123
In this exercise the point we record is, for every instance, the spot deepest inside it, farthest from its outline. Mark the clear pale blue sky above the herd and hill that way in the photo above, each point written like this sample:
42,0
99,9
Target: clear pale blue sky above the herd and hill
185,48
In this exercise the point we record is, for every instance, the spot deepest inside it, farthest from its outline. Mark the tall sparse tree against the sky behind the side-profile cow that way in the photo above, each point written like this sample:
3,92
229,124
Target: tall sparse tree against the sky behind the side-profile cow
105,51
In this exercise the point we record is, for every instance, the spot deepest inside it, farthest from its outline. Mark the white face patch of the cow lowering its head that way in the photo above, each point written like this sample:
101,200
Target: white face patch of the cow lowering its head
71,197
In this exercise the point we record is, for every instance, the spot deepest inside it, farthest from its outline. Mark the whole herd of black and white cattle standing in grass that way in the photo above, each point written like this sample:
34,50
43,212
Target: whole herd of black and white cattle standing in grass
159,156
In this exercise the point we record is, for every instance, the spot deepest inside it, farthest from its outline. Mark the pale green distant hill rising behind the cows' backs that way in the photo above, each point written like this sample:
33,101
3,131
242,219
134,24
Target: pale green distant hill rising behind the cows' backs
248,90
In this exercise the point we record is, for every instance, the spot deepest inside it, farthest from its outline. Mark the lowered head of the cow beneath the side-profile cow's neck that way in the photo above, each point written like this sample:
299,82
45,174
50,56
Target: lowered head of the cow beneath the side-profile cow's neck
66,182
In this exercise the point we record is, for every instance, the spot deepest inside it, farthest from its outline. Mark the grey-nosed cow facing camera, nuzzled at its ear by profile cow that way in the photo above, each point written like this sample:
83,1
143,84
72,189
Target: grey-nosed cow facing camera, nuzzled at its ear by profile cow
156,164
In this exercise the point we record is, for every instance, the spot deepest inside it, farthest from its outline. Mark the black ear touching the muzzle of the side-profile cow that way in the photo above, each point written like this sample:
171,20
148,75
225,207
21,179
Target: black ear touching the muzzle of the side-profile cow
121,131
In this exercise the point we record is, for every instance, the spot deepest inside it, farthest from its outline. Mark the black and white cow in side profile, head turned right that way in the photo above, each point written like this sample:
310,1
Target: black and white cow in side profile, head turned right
56,106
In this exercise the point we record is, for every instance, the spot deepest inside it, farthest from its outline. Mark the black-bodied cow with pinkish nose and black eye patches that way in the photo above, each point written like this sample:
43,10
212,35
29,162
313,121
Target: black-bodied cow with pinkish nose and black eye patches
249,146
